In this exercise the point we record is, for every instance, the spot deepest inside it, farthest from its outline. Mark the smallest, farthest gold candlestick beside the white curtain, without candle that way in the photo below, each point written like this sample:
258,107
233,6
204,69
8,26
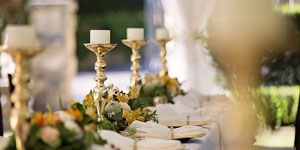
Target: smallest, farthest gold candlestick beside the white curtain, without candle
163,52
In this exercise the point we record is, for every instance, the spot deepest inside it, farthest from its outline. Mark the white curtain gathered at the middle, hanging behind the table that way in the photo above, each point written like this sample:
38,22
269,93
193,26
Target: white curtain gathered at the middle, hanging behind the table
187,59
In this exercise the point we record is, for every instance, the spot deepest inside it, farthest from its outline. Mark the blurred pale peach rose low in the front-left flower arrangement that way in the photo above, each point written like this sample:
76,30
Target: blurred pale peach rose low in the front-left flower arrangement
50,135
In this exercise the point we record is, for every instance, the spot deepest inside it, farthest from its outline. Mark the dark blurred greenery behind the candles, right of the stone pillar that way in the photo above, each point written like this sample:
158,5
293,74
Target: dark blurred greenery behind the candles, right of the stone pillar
114,15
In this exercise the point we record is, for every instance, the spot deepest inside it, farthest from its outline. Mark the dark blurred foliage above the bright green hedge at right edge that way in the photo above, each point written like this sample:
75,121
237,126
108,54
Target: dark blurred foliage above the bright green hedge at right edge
283,64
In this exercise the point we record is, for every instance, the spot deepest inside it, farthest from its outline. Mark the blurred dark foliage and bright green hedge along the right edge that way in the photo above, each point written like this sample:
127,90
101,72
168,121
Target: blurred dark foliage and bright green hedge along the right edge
281,75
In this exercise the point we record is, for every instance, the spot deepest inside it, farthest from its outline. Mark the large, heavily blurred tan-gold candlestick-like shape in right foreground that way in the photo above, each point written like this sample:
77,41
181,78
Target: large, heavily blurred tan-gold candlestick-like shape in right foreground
241,33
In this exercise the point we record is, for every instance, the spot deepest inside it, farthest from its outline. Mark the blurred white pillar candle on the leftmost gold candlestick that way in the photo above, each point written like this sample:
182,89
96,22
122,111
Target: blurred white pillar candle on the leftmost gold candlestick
19,37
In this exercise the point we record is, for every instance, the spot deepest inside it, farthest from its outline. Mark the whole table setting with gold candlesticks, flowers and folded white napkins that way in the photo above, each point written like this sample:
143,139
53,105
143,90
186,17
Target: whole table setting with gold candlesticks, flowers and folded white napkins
156,113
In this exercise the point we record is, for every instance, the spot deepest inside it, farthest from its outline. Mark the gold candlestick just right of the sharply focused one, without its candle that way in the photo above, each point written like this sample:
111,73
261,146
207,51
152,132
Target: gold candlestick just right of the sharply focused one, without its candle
135,79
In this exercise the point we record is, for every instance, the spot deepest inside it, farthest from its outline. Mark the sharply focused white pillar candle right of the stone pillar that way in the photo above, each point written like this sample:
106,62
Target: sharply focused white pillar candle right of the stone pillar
100,36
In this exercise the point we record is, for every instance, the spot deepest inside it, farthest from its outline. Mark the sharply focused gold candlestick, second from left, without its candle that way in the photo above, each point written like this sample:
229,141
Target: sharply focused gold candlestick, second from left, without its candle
100,91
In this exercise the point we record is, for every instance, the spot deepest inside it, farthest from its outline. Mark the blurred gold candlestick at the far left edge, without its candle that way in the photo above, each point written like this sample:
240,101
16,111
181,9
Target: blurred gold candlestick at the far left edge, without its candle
21,95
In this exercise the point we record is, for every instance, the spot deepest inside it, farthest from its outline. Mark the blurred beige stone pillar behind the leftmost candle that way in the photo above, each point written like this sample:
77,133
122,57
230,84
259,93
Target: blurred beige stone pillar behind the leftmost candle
53,70
